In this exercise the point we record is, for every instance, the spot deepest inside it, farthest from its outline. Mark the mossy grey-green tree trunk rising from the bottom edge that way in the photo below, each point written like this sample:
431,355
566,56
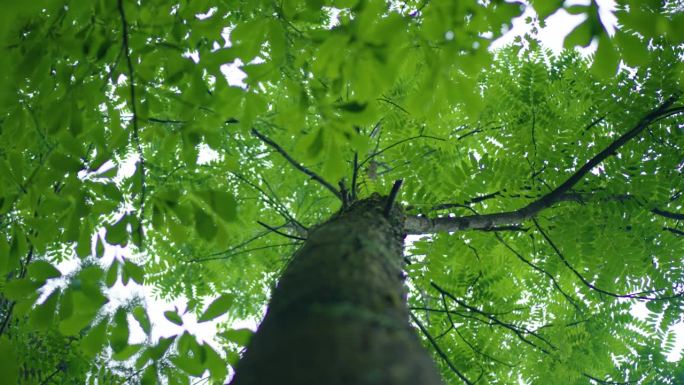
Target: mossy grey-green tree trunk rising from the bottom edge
339,313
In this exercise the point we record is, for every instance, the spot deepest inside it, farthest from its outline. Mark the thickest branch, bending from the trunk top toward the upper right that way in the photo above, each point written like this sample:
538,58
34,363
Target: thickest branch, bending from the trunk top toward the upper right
424,225
